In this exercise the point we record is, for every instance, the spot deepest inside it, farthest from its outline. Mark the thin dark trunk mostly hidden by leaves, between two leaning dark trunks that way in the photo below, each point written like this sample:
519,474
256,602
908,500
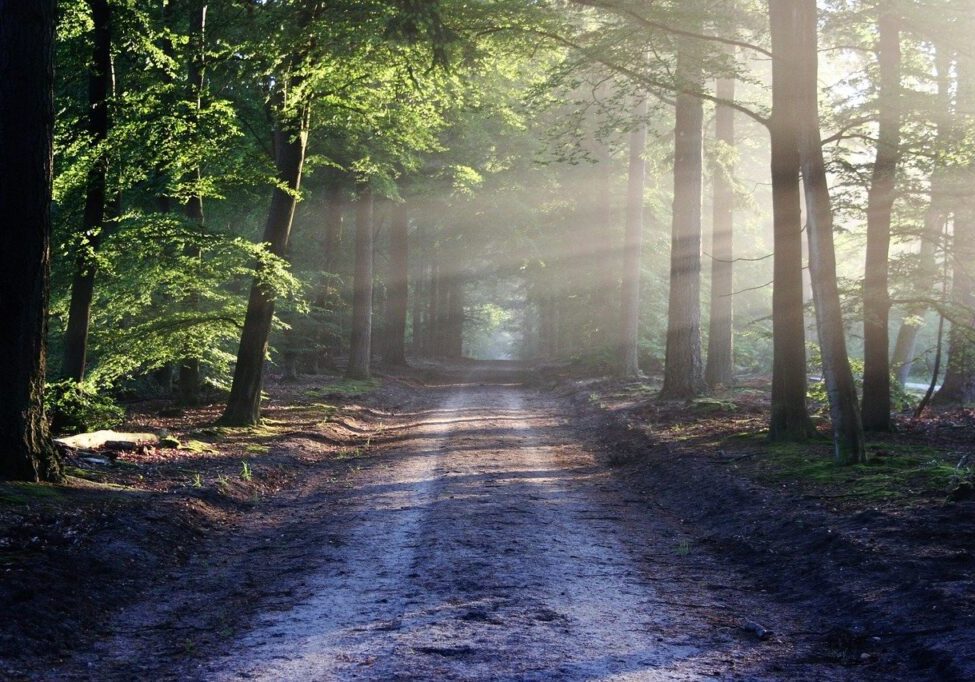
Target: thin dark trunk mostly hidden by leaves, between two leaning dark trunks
190,375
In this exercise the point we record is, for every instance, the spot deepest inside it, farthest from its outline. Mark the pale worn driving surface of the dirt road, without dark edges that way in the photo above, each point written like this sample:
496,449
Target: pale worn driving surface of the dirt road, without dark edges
491,546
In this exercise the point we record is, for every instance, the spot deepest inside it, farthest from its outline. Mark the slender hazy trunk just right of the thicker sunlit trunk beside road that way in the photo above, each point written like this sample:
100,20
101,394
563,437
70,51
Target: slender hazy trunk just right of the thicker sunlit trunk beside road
720,364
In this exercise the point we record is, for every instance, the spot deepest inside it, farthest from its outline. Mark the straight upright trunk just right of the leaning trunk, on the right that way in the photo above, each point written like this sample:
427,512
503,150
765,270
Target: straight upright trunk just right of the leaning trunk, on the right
880,202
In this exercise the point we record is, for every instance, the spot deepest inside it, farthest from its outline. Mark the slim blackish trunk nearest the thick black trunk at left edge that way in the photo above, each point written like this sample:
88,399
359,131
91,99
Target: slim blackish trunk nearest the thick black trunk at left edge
83,282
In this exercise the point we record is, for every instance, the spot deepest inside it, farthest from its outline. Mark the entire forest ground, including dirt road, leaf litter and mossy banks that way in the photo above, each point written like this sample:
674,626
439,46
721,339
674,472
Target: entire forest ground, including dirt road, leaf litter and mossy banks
486,522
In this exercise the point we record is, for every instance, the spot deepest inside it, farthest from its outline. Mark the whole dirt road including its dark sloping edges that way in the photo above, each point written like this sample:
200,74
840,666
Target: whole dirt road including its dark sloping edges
487,543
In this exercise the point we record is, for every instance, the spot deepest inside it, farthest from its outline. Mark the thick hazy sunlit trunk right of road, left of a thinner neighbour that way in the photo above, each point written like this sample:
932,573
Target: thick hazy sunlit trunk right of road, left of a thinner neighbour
684,371
